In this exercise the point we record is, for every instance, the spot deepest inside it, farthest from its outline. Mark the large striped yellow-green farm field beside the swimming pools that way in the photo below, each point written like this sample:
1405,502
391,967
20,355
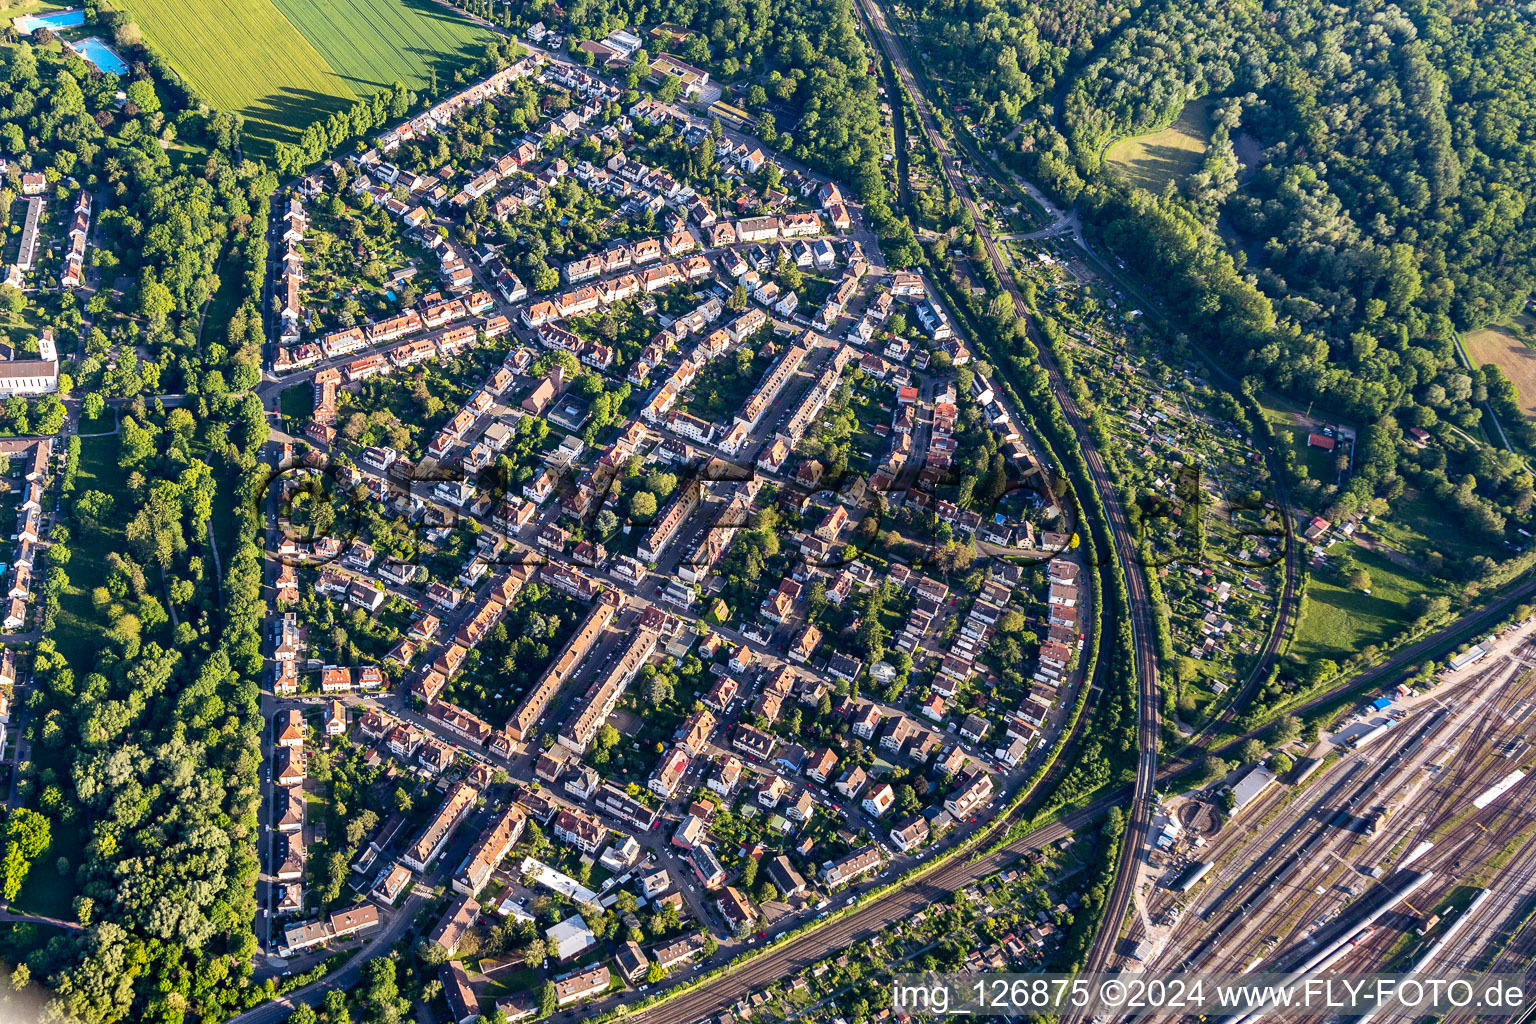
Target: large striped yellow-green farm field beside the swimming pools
286,65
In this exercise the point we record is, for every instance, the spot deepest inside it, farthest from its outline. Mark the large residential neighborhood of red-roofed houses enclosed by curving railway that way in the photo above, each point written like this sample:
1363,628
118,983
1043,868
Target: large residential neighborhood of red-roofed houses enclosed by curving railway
666,670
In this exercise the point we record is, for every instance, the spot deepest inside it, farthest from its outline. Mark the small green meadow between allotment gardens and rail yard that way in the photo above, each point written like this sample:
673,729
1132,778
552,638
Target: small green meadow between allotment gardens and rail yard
1339,623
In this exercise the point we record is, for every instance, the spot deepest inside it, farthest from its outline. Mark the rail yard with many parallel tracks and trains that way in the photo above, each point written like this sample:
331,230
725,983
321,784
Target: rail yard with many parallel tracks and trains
1403,847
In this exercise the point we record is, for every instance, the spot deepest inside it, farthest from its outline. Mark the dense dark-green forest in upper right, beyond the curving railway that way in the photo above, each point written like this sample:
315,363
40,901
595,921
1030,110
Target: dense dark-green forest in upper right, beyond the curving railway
1385,205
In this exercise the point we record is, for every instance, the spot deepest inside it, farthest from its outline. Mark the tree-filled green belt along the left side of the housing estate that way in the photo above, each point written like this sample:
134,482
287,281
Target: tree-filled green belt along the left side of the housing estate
144,778
